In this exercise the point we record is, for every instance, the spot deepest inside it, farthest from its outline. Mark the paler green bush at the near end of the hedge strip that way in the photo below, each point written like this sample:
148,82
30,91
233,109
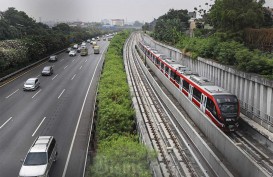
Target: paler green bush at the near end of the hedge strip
122,157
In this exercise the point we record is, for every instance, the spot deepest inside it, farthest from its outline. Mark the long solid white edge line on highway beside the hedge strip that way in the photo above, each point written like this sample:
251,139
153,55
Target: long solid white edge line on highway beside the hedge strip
79,119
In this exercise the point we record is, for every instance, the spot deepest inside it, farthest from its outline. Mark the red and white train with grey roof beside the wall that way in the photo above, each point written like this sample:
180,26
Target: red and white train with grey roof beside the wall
219,105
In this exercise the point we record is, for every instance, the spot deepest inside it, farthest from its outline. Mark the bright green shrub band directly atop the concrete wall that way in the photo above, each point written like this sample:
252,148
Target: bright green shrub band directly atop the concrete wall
229,53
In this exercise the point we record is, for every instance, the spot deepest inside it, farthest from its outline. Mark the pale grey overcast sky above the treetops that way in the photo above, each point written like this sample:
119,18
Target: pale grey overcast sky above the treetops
96,10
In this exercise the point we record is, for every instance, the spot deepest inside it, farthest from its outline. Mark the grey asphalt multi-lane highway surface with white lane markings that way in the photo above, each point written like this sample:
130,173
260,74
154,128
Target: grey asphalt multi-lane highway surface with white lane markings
62,107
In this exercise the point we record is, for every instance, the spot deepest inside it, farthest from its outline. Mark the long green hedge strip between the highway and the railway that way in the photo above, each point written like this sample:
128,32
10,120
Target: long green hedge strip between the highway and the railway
118,153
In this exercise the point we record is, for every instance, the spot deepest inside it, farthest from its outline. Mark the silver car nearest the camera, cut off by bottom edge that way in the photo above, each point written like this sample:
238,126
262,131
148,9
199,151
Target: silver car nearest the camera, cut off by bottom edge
40,157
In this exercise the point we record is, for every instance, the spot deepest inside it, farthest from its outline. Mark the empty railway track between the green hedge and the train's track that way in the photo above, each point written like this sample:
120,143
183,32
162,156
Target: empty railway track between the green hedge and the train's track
172,158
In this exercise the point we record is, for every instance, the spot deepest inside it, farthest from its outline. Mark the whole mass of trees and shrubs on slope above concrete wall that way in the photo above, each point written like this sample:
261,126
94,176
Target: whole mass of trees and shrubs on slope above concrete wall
226,42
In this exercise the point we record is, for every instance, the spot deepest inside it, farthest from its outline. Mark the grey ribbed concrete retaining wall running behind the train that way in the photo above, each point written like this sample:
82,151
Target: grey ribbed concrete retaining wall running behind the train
254,92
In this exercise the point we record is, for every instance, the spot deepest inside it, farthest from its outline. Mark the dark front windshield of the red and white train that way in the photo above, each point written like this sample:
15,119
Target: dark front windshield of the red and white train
228,104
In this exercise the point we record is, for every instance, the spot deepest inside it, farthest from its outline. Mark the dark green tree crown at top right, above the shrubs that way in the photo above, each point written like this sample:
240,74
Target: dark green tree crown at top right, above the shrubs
232,15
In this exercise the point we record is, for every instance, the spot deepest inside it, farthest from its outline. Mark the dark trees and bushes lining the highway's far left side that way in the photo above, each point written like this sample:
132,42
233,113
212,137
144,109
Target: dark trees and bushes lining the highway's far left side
23,41
